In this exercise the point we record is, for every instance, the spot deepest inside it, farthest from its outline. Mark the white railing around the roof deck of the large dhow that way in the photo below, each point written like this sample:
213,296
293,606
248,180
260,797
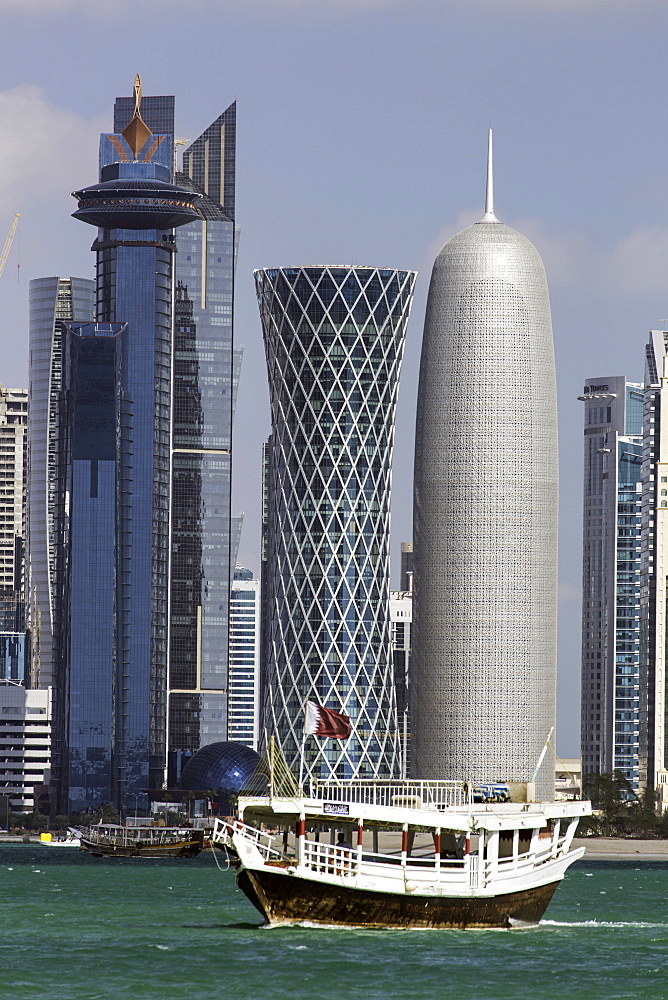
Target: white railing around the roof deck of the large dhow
432,795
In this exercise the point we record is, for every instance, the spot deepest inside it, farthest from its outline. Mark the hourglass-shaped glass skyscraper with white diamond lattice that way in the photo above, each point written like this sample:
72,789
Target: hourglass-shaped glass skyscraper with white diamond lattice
334,340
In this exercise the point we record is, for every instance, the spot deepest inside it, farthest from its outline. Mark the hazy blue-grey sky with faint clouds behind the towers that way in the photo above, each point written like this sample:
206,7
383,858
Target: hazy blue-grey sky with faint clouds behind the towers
361,139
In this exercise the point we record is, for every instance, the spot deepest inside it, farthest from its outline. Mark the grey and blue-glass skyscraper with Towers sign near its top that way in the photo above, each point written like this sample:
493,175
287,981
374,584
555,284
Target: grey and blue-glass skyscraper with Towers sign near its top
611,576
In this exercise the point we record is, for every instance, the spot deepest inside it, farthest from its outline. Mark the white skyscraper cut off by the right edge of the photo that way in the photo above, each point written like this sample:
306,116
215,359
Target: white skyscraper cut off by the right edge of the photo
653,750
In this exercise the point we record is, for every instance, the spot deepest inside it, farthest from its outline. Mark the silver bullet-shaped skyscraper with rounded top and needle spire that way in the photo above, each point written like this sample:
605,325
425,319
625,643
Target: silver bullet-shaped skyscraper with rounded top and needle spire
485,514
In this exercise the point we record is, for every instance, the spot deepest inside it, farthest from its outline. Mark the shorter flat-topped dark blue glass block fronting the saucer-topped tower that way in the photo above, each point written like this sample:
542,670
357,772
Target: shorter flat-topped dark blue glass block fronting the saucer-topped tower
91,379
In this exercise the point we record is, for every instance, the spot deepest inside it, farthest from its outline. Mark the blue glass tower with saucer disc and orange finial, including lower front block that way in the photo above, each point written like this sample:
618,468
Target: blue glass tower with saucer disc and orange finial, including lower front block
119,412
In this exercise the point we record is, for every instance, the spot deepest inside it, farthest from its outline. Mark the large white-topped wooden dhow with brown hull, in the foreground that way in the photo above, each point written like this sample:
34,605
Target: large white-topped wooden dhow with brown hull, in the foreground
405,854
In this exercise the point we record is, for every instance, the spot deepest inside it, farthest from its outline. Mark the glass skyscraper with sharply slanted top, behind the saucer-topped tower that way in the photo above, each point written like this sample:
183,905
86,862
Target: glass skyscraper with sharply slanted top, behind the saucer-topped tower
206,374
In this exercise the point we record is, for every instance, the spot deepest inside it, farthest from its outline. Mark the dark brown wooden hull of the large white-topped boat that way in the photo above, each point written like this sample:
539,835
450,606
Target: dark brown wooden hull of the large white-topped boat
285,899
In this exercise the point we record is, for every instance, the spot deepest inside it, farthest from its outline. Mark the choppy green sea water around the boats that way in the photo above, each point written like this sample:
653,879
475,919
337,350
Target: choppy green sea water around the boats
74,927
